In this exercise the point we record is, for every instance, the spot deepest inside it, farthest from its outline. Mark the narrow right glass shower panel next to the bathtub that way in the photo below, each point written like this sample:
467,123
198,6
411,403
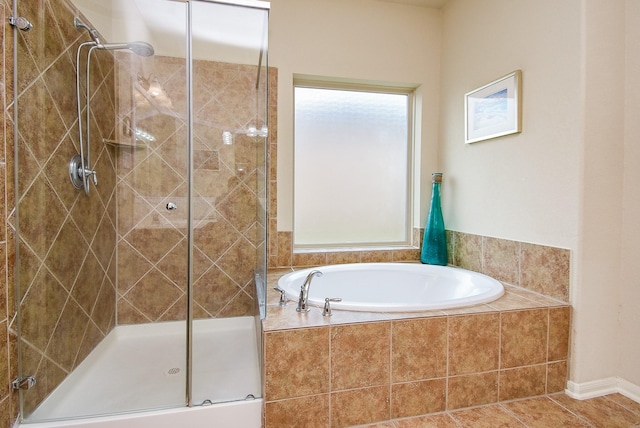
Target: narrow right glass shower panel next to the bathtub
229,71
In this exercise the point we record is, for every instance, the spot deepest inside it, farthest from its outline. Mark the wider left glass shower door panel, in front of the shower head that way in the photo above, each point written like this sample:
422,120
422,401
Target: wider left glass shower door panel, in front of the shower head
100,273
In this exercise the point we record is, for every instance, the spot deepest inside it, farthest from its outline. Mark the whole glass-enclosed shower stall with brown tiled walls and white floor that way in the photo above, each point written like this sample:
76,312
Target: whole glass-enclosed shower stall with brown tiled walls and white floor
139,211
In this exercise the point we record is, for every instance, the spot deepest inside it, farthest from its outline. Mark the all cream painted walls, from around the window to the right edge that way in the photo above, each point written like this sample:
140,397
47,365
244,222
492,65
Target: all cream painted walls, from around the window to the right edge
562,182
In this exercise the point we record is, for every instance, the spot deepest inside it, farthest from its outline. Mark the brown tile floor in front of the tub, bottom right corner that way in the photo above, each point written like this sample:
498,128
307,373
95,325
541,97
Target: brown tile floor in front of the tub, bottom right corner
554,411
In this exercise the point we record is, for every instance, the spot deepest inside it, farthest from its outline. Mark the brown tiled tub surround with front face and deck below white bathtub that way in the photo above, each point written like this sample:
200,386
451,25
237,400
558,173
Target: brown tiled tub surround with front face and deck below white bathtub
359,368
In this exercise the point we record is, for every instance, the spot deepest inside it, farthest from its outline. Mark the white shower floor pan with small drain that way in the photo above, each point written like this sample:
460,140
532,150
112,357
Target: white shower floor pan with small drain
143,367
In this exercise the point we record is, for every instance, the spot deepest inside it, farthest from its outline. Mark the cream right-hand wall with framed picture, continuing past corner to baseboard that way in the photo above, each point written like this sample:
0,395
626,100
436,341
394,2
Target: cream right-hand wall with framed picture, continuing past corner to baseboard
562,181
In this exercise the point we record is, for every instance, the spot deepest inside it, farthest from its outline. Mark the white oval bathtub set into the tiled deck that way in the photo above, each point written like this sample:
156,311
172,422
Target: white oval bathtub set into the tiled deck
393,287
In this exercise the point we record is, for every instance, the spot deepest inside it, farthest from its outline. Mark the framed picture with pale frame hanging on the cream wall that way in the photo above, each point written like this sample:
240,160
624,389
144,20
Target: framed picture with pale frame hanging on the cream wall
495,109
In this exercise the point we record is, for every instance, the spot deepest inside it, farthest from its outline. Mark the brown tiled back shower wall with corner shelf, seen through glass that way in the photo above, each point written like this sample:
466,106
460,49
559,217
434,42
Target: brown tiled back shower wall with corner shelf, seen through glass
229,190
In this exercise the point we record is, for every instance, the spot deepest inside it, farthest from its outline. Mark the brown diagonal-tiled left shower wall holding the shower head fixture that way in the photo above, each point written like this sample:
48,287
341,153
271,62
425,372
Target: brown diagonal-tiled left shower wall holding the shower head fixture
66,252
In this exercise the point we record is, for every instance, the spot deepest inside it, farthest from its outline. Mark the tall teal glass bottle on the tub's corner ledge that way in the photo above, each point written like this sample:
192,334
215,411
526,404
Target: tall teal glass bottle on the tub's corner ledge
434,243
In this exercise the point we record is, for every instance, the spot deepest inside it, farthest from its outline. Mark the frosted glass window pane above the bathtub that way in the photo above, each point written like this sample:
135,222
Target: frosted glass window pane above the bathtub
351,168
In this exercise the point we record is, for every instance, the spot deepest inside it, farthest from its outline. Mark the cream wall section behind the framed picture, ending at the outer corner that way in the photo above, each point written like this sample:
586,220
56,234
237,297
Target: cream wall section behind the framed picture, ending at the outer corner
520,187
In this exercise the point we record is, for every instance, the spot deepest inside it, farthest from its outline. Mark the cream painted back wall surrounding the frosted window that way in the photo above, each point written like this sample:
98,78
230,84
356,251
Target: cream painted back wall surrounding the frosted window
356,39
